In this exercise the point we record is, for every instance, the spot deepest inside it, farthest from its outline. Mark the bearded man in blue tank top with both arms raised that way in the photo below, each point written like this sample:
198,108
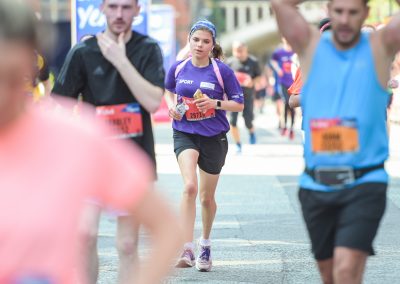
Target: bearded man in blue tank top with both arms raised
343,188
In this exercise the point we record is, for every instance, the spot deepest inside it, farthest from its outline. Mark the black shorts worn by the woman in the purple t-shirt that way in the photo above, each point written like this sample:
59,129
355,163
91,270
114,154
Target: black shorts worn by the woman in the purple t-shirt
212,150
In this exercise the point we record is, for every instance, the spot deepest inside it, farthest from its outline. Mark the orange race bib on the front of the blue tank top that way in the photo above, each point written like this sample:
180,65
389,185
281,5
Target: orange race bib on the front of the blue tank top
331,136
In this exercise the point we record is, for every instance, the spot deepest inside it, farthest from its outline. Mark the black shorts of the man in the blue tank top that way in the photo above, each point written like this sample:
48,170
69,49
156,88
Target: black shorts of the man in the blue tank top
347,218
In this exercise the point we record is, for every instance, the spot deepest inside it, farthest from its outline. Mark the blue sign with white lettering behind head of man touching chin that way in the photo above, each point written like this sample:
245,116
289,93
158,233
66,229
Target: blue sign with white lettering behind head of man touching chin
87,18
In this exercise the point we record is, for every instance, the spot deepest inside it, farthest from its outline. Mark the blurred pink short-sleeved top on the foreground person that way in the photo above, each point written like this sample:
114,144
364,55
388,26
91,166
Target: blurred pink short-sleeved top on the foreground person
50,164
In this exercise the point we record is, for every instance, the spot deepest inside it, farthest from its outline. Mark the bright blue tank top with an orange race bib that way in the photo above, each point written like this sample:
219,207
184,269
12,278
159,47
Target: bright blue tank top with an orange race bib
344,112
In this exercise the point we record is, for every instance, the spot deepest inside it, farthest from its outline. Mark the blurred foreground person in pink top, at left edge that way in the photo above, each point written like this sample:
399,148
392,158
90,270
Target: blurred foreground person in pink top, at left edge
50,163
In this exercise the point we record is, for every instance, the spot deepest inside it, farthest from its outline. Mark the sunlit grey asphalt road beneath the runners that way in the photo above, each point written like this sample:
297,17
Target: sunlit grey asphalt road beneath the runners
259,235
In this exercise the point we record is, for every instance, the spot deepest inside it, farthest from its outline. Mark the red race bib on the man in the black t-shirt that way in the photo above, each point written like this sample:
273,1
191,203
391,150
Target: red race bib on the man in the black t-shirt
126,119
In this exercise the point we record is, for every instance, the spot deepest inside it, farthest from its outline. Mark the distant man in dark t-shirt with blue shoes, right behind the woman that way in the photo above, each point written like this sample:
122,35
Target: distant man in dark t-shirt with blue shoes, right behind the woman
247,71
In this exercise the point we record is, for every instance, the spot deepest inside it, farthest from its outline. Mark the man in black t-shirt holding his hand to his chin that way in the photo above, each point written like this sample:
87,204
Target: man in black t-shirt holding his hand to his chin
121,73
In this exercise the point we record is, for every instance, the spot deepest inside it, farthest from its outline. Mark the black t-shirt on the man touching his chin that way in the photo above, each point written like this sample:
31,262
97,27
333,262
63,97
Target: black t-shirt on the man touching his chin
87,72
